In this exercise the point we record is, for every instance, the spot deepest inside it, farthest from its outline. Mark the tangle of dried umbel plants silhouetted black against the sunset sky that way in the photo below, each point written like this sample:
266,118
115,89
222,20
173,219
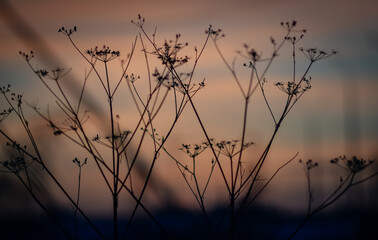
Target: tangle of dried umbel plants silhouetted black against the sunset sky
227,156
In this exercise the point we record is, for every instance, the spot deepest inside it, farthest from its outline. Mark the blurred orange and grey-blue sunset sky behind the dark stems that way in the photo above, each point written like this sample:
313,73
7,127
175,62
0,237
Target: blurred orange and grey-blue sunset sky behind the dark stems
338,116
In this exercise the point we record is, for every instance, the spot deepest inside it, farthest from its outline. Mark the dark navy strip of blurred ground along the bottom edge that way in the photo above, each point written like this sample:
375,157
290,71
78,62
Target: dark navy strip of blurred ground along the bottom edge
265,224
